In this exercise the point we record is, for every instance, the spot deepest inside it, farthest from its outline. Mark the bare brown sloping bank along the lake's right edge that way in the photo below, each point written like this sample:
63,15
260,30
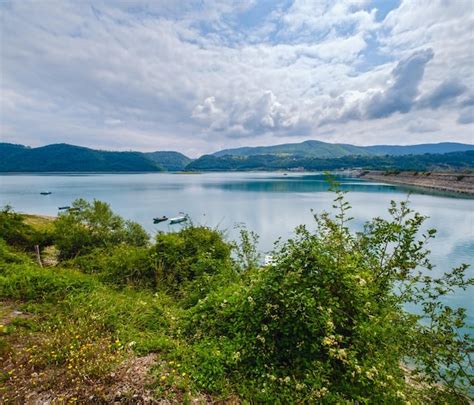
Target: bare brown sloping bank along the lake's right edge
461,183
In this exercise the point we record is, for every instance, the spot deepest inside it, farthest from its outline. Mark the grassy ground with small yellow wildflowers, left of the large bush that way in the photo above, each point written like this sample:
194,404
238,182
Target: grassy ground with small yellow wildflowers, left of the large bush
75,333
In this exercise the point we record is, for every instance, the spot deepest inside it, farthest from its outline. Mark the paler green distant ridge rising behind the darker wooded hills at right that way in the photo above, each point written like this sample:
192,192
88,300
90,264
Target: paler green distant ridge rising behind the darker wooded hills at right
318,149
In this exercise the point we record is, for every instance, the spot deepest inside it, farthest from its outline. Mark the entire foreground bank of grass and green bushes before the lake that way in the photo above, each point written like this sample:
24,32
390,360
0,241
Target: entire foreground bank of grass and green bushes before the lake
194,317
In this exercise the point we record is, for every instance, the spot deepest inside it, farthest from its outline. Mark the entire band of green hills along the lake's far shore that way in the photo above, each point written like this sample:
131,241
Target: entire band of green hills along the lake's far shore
311,155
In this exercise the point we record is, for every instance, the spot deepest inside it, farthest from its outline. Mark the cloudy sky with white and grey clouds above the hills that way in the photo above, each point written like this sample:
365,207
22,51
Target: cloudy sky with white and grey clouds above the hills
200,75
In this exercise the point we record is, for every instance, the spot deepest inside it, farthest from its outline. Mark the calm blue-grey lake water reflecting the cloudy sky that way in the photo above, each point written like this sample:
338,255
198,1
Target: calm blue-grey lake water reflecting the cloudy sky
271,204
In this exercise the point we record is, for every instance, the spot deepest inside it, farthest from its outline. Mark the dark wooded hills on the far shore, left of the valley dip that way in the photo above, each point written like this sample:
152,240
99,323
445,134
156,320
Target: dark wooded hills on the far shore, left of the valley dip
70,158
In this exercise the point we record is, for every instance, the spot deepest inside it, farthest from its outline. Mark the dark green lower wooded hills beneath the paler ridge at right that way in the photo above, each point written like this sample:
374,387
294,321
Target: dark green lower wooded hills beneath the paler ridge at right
446,161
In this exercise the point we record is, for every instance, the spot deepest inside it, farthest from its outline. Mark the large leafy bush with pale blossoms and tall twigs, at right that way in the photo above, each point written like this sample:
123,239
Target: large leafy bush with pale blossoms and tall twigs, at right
327,321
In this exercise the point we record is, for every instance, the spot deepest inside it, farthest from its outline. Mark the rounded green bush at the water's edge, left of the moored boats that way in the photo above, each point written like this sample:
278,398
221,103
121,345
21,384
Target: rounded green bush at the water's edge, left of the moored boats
89,226
